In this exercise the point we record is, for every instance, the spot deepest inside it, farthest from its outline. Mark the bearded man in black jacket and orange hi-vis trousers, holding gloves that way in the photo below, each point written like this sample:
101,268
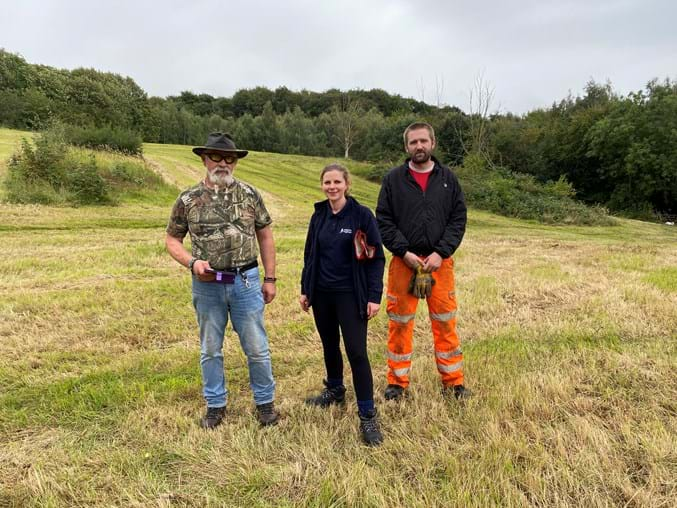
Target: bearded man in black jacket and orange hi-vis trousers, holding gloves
421,215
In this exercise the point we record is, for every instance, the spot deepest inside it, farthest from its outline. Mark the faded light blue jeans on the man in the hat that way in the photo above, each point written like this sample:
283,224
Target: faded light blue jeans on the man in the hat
213,303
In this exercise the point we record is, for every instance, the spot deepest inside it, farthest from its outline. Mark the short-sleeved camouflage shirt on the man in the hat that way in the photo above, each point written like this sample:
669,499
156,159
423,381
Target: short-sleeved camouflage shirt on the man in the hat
222,226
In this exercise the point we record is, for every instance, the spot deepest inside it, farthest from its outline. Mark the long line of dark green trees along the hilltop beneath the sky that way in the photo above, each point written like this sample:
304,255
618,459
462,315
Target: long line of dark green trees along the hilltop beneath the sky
619,151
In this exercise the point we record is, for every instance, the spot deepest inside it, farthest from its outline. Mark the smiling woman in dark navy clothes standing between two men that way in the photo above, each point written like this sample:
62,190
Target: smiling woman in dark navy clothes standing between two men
343,293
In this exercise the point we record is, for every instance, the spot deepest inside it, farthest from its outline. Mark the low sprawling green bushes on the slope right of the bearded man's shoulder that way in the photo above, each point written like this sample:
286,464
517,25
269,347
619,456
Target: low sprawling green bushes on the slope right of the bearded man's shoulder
521,196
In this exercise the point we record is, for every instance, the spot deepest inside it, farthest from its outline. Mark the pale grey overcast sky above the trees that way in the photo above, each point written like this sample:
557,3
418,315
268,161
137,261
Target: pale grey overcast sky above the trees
531,52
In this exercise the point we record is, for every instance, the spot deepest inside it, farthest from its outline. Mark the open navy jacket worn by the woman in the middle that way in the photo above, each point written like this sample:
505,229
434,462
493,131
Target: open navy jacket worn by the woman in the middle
367,274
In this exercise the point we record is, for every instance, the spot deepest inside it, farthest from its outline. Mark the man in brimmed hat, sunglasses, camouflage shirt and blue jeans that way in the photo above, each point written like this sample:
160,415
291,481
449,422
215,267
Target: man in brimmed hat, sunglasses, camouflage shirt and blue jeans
226,219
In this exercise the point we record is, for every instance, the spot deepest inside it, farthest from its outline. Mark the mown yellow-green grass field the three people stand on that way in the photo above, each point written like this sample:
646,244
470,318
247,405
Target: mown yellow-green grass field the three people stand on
569,336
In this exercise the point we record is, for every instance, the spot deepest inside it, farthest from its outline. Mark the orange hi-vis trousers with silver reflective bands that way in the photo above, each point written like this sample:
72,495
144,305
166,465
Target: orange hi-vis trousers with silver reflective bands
401,313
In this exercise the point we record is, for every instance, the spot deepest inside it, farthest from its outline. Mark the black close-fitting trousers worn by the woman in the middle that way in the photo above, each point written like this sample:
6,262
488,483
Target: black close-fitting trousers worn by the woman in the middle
334,310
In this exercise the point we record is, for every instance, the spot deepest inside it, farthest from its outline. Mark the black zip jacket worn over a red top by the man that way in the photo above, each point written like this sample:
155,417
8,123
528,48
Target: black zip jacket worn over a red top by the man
421,222
